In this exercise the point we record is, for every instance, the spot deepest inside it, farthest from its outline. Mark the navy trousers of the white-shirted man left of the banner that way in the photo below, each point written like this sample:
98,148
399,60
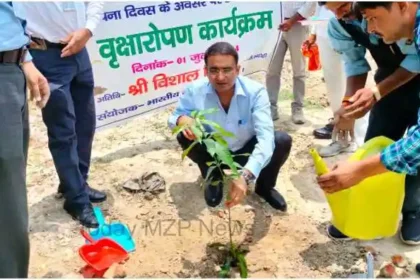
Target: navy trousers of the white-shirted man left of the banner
70,118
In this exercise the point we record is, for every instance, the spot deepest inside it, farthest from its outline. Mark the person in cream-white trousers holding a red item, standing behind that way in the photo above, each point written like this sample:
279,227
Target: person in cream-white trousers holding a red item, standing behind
335,80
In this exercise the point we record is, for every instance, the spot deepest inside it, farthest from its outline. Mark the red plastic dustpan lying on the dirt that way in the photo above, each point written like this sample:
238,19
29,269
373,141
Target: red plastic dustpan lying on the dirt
101,254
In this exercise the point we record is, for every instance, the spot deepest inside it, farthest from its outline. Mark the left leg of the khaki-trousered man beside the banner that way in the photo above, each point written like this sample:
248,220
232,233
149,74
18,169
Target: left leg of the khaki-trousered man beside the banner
273,78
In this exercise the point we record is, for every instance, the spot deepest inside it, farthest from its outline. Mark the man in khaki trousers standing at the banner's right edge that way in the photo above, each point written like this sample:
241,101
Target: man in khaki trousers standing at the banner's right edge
292,37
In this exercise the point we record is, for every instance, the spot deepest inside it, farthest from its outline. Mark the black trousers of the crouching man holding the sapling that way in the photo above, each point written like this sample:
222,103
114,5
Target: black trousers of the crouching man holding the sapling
268,176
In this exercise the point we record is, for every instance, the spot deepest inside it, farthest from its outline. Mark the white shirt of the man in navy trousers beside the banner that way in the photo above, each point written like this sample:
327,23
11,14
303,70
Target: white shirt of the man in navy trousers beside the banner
54,21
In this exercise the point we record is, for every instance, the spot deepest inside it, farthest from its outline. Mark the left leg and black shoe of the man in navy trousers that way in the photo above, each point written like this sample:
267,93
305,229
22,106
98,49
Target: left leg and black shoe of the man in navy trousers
60,119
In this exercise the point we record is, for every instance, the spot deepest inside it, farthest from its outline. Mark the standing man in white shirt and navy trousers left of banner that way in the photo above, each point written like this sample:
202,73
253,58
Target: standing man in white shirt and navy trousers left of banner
59,33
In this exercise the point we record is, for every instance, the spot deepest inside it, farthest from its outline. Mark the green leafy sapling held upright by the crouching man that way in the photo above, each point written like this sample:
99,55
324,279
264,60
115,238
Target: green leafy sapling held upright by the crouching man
210,134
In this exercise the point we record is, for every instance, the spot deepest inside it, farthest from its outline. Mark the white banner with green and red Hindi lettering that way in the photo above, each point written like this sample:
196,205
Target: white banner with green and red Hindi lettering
144,53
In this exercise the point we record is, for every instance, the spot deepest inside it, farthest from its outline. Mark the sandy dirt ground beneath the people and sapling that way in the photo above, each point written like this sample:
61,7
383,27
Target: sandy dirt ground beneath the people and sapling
172,230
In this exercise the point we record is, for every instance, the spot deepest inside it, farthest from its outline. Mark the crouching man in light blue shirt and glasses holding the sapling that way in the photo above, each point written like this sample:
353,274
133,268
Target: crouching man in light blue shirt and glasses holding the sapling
244,110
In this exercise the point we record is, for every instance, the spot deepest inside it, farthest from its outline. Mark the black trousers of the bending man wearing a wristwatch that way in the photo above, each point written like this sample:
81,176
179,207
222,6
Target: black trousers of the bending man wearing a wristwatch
391,117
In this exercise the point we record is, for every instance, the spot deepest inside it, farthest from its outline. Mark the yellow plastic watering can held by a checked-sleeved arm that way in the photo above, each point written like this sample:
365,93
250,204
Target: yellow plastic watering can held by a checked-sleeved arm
370,209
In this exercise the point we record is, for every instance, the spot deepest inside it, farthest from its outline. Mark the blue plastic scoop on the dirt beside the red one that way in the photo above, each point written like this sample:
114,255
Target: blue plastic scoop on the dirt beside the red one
116,231
